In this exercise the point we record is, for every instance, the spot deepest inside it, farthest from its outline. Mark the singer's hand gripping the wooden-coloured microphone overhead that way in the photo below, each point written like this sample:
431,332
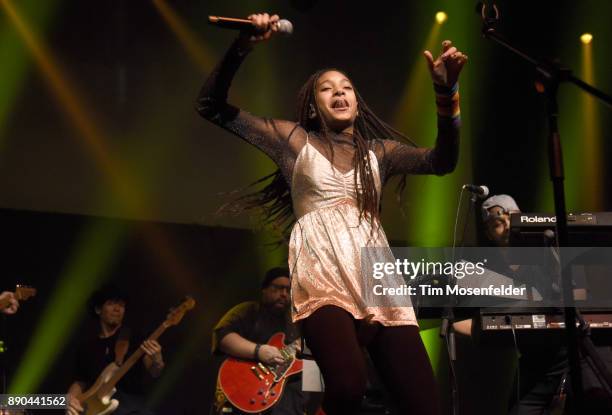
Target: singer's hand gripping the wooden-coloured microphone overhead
256,28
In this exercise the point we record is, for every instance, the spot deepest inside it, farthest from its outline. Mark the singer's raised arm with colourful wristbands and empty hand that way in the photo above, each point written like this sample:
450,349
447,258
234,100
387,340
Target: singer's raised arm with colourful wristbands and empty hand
400,158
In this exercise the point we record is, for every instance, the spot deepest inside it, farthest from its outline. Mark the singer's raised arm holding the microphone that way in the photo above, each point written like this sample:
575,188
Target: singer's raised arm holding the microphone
269,135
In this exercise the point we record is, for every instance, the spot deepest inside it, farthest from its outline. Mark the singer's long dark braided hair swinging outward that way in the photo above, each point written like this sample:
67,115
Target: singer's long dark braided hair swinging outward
274,199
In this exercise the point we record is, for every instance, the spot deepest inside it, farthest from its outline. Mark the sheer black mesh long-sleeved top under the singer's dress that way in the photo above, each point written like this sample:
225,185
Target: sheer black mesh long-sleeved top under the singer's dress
282,140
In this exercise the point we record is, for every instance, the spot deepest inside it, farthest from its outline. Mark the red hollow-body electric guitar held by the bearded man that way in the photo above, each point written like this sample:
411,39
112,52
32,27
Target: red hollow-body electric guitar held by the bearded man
254,387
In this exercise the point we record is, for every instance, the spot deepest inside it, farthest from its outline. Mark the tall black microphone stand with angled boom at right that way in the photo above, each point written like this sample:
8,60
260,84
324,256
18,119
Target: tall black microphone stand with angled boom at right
549,75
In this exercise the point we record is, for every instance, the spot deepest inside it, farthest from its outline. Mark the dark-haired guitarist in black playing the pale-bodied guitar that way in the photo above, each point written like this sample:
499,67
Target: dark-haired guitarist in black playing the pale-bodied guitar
111,341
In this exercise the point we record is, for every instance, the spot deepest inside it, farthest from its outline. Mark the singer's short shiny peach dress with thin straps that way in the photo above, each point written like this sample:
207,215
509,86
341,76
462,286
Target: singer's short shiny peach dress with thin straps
326,241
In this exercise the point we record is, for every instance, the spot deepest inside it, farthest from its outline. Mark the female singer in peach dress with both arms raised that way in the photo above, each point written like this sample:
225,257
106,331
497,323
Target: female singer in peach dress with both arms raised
333,162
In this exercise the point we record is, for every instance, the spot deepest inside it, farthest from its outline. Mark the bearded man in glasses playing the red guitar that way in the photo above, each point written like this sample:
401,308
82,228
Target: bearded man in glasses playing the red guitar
244,331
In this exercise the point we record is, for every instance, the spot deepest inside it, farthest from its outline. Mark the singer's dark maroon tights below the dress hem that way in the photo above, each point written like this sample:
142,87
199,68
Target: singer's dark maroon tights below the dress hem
335,339
